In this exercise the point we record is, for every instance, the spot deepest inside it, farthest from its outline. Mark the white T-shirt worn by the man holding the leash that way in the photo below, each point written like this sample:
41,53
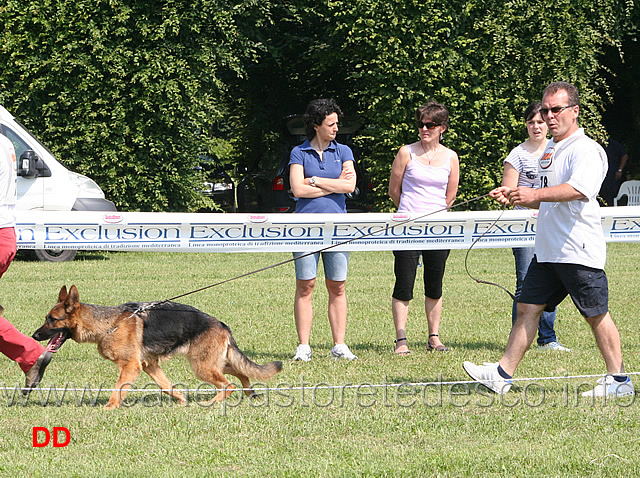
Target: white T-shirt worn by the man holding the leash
571,232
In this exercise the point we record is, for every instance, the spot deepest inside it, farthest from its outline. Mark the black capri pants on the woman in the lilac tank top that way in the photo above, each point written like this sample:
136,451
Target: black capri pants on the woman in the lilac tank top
405,267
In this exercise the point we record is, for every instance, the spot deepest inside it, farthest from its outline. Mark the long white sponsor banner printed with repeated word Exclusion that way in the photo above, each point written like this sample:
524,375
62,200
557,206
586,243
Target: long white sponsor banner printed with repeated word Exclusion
203,232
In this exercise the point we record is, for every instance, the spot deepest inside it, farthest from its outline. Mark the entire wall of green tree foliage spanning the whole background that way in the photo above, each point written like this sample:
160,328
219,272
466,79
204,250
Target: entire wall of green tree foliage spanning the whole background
130,92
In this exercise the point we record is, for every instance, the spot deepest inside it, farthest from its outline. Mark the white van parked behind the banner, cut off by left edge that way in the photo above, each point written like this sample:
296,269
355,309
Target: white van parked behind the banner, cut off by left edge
44,184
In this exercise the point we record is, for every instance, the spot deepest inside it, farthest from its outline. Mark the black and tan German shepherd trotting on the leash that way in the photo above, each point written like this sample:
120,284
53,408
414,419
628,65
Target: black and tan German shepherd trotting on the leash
138,341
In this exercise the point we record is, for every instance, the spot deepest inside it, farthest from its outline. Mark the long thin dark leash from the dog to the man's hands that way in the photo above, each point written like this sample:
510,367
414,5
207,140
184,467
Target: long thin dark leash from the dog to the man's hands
382,229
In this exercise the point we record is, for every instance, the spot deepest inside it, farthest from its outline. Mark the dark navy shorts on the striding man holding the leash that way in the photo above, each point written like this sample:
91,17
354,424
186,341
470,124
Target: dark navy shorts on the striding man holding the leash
549,283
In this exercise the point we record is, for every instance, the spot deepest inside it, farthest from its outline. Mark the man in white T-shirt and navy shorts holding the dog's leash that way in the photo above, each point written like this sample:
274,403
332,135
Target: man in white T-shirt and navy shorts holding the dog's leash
570,246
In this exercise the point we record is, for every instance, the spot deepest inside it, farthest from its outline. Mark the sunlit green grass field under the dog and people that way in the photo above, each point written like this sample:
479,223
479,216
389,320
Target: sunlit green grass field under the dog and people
357,428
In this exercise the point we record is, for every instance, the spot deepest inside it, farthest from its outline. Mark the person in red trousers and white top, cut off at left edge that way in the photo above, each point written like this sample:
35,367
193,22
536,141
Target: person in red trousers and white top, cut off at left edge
28,353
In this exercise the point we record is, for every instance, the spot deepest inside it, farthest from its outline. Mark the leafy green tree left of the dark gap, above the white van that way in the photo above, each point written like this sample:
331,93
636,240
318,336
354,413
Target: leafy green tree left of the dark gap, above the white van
127,92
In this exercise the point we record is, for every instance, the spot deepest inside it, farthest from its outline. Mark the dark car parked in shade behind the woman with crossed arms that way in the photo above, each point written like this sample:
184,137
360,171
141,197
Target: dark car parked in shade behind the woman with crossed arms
264,186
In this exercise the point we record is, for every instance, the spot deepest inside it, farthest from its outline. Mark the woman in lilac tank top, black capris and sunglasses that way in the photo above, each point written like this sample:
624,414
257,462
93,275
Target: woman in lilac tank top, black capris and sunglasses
424,178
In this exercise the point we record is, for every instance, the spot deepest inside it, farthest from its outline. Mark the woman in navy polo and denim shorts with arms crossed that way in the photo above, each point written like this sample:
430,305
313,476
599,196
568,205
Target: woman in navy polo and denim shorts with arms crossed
321,172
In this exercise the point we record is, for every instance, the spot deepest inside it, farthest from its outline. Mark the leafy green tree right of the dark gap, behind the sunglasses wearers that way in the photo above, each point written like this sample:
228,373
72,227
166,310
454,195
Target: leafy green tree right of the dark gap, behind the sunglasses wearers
485,60
